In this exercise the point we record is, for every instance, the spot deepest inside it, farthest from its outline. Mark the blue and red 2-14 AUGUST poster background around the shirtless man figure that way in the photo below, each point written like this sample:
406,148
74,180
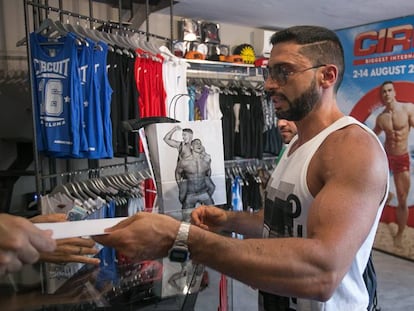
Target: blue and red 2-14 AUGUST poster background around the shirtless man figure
375,53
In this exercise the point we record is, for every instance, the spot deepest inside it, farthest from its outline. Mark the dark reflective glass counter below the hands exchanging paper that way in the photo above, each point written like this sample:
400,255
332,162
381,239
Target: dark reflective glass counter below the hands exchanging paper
117,284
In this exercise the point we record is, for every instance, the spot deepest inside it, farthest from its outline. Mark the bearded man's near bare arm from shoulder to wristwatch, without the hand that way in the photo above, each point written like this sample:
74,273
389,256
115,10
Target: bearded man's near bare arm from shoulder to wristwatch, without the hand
348,190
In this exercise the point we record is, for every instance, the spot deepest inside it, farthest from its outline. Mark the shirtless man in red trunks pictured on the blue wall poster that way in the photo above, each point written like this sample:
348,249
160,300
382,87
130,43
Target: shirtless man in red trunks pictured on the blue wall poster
396,121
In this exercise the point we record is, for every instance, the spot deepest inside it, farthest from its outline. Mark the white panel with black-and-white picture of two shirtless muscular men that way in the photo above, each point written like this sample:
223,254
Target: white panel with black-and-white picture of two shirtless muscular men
187,160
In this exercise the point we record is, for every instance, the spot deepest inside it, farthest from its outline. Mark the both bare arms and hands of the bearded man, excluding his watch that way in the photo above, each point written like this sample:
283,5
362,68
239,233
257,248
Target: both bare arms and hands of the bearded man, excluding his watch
347,176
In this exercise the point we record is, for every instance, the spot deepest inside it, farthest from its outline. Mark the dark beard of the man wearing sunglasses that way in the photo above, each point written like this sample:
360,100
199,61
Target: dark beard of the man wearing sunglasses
301,106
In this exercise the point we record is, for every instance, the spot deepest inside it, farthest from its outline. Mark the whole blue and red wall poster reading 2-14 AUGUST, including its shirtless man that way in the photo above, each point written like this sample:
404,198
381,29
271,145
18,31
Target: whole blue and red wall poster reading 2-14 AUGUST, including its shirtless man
378,90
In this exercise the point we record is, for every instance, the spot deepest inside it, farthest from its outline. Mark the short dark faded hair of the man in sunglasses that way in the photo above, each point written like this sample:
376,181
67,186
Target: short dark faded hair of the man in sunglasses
320,44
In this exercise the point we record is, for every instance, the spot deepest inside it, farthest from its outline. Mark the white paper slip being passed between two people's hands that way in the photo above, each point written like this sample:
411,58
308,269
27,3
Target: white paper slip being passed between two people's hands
78,228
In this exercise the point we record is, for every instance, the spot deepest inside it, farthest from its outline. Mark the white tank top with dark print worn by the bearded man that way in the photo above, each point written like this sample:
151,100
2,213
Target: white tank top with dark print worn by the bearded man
286,211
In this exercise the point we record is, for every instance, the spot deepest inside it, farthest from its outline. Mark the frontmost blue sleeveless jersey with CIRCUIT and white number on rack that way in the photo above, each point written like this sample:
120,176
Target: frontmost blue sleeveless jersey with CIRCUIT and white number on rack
57,97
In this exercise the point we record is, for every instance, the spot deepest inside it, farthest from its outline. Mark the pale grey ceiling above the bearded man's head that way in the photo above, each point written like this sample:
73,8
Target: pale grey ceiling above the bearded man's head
276,14
